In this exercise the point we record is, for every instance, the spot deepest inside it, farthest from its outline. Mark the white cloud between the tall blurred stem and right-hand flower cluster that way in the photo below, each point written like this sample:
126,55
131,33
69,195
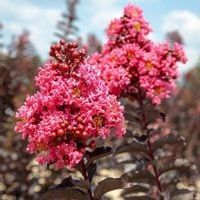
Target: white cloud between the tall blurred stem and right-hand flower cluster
100,14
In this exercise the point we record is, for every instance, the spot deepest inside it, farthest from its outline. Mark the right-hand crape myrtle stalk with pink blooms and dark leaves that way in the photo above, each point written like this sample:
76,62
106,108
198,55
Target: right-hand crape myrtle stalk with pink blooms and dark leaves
143,73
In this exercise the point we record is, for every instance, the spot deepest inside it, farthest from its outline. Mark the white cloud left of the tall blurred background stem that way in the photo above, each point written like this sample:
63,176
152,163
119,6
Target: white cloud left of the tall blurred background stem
40,22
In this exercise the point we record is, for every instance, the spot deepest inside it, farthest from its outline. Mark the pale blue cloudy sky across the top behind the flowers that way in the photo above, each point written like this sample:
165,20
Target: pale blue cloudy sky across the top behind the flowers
40,18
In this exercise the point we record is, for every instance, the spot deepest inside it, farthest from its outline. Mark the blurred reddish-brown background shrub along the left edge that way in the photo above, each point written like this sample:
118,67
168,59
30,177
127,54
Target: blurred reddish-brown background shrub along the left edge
20,176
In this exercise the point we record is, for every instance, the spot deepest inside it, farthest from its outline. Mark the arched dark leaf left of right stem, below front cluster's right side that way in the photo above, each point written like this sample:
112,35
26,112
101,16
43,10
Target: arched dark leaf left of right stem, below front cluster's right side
132,147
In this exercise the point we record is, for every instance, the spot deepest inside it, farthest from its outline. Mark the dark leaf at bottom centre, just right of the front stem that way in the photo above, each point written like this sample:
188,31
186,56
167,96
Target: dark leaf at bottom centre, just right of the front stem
107,185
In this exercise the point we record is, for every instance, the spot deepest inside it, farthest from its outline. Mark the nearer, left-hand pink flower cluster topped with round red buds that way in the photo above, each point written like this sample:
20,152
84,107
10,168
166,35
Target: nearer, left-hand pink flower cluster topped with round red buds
72,108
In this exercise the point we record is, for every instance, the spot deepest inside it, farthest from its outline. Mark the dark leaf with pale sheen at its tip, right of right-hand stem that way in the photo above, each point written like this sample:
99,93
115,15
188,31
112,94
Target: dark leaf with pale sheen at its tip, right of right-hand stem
179,165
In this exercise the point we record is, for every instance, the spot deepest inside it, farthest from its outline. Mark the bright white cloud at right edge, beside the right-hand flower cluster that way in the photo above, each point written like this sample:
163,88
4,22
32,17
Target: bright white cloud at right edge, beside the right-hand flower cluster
188,25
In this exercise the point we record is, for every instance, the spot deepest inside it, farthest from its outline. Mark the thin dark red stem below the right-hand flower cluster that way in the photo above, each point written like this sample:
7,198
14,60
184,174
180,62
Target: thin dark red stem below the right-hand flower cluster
149,147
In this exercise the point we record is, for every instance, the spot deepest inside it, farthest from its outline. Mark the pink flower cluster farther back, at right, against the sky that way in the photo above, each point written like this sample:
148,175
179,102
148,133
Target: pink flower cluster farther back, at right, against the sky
133,65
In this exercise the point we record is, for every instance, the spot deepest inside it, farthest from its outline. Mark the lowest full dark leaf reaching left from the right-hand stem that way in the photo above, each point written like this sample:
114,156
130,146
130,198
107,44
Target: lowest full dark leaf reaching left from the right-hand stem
139,176
